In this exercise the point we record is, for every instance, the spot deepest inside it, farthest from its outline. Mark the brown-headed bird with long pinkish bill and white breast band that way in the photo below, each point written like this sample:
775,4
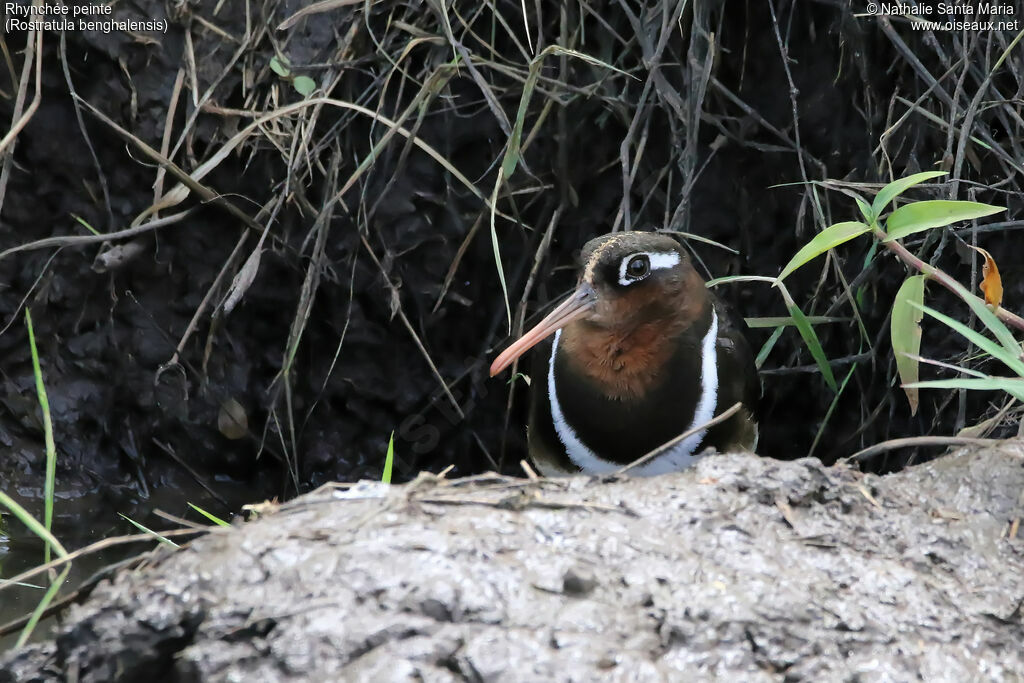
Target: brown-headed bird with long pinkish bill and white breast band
639,354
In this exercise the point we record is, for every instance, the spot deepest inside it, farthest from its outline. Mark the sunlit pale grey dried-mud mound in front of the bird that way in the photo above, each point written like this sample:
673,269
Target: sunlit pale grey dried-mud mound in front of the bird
743,568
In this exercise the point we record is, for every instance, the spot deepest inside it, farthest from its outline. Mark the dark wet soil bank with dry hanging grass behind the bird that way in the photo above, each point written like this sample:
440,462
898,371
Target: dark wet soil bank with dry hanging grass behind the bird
379,311
